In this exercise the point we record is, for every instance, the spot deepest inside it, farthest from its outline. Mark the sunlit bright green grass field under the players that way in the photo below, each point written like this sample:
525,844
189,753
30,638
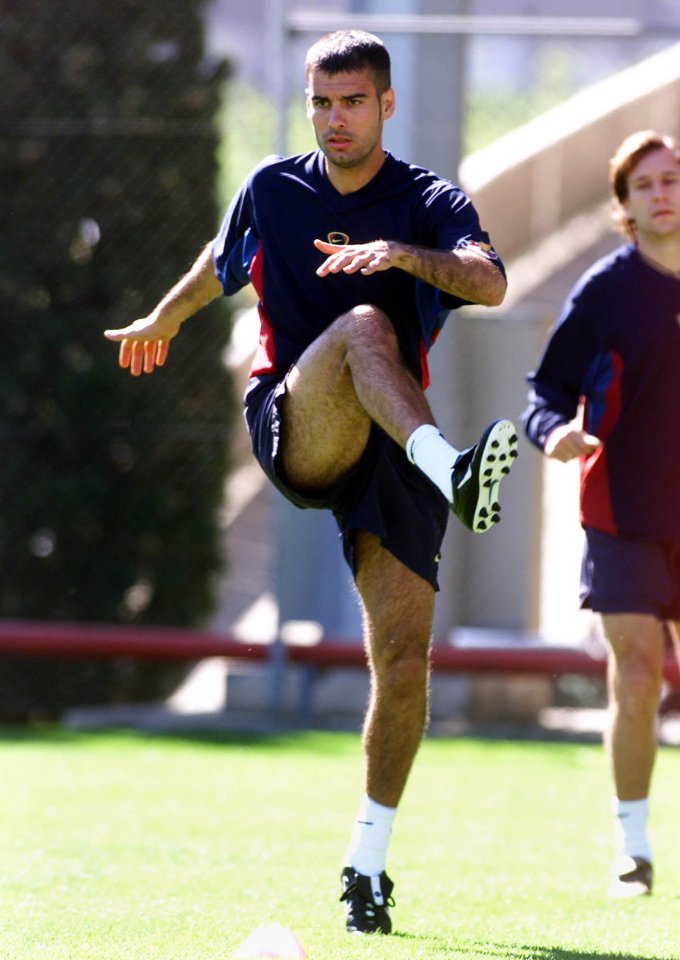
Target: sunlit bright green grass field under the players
121,847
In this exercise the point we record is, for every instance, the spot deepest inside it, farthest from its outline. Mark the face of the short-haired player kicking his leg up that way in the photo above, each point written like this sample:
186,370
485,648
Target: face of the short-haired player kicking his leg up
347,115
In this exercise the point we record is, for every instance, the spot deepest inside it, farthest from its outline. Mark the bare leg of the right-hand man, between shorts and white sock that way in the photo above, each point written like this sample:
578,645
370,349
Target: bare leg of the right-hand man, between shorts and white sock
636,648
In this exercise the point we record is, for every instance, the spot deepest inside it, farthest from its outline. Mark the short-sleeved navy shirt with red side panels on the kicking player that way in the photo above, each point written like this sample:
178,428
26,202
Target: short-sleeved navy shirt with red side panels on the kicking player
267,235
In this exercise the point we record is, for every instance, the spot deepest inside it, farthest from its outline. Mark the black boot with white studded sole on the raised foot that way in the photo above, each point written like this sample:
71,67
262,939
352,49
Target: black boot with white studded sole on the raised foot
477,474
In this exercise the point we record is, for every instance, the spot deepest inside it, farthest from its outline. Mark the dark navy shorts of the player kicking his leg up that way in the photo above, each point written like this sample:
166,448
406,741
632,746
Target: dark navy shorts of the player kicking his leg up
383,494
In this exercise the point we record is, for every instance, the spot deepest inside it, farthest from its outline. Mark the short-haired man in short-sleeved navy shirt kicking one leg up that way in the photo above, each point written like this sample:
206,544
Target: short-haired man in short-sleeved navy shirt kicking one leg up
356,258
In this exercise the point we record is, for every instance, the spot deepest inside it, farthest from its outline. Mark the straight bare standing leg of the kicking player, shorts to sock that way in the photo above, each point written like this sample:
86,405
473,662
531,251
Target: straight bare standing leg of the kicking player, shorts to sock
398,607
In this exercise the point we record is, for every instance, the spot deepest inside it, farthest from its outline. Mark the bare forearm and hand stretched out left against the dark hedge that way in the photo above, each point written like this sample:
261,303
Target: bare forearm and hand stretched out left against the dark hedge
144,344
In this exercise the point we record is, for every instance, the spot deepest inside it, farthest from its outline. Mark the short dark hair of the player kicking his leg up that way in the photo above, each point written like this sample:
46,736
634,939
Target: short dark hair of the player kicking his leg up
345,51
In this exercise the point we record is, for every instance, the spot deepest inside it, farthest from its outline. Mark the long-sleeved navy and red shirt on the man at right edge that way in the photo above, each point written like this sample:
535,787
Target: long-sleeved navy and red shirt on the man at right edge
616,348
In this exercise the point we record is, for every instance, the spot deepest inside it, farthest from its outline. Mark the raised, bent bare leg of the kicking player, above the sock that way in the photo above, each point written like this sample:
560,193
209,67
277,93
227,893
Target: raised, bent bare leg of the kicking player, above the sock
351,375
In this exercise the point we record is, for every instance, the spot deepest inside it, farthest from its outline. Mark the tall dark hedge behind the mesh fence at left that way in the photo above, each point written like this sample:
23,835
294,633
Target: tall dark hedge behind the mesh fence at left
110,486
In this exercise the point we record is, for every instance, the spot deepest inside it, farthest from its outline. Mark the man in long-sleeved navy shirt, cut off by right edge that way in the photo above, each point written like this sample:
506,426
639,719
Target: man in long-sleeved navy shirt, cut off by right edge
616,351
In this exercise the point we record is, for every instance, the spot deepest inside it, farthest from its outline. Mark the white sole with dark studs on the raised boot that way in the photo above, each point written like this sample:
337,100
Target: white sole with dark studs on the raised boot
491,462
